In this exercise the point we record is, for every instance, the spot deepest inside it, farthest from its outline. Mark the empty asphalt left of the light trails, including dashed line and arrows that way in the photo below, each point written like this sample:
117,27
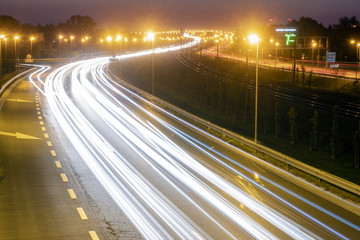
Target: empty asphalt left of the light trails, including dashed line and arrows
47,193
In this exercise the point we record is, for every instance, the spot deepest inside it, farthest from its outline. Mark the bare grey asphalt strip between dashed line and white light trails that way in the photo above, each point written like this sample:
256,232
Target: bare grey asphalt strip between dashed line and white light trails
114,223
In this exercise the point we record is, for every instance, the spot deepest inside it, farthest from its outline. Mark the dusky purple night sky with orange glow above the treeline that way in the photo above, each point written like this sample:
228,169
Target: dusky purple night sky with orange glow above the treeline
225,14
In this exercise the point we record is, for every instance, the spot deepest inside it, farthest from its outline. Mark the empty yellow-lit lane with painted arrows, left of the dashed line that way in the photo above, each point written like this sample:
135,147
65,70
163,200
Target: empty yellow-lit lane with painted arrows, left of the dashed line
34,201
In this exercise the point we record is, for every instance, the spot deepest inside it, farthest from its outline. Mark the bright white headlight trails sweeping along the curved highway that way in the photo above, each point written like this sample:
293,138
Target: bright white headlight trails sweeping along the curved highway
128,187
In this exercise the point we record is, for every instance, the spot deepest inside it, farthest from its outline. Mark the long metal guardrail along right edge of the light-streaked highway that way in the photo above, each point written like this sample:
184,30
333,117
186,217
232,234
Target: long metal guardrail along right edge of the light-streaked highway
322,175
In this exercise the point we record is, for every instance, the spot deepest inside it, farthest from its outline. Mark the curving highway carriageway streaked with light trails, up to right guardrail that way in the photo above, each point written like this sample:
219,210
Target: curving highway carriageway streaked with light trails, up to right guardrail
173,180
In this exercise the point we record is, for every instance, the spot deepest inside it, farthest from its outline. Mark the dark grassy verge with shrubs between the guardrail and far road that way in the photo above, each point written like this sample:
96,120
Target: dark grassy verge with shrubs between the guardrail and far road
321,138
